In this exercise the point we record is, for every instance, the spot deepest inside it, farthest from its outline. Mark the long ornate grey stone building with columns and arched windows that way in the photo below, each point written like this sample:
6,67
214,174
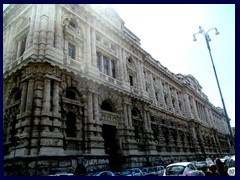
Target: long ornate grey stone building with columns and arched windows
80,94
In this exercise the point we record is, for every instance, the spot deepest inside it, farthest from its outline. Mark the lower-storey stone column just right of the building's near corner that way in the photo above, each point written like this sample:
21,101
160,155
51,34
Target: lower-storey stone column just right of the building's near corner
46,96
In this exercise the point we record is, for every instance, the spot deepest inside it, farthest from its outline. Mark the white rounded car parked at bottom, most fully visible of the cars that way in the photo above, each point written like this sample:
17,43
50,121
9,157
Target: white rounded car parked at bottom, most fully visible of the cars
179,169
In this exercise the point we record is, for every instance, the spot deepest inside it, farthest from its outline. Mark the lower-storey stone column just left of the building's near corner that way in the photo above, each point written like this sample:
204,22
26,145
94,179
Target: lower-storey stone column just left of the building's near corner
29,101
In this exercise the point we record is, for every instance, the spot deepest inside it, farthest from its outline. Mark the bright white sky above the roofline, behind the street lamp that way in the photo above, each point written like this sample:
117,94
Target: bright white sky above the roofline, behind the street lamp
166,33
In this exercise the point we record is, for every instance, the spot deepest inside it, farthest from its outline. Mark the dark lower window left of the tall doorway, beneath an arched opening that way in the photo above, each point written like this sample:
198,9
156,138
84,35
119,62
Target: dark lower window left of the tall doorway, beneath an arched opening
70,125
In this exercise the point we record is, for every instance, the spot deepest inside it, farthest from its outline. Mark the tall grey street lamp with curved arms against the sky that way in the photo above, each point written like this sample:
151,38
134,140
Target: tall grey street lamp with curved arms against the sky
207,39
